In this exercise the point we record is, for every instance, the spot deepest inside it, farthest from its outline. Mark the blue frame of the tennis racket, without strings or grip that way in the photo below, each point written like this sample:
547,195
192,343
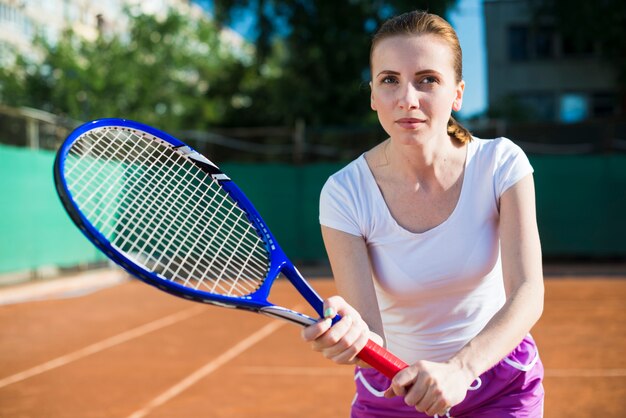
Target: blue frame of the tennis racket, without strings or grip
279,263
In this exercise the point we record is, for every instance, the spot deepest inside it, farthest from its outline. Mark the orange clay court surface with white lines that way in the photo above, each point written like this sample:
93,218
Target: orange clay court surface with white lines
128,350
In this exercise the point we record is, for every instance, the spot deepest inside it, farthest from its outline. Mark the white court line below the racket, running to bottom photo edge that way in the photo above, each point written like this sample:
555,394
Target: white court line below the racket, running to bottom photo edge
208,368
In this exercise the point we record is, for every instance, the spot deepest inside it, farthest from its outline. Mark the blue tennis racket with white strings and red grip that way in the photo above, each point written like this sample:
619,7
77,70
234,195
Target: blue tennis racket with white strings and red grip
173,219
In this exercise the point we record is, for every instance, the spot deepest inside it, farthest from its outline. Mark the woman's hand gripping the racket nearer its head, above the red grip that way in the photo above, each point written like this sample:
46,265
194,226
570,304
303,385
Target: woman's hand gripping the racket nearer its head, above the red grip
342,341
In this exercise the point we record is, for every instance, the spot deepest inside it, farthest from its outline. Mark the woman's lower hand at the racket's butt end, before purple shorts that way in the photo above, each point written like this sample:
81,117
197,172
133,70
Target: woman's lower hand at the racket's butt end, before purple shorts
432,388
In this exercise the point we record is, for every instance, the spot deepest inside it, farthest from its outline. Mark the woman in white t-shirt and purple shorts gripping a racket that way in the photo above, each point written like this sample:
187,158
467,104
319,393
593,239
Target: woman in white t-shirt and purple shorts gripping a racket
434,247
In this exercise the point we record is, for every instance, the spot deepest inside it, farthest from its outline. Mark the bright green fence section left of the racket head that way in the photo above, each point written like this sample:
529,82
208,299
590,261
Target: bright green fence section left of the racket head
34,229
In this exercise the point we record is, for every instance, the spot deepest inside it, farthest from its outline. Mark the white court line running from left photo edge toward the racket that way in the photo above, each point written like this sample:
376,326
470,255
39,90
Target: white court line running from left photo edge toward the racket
103,345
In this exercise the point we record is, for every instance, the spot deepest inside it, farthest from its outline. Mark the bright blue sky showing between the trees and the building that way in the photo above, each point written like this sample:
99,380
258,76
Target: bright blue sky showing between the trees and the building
467,19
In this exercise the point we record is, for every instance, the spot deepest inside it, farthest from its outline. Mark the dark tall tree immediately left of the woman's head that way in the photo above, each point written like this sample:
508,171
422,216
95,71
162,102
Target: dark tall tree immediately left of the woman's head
312,57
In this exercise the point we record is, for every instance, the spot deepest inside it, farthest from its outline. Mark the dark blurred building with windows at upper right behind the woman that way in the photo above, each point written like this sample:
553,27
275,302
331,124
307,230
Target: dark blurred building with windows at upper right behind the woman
544,76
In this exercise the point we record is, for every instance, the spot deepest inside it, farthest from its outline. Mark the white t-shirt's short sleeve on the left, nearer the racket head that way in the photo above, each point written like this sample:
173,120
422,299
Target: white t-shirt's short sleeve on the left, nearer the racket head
338,208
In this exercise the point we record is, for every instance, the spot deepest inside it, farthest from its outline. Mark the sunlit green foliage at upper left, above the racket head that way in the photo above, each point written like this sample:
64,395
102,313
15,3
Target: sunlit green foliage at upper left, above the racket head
168,72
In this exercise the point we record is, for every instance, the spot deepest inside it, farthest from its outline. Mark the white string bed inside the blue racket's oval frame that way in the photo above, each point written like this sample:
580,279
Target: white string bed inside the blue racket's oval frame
162,211
